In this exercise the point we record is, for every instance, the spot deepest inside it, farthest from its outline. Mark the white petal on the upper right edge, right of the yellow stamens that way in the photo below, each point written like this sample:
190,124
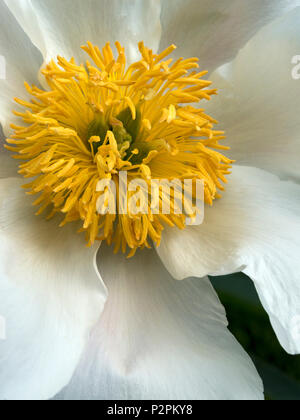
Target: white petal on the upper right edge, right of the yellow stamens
259,101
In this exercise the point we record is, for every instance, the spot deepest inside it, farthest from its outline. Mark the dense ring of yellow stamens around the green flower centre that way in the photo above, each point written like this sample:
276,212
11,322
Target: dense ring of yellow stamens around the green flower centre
99,121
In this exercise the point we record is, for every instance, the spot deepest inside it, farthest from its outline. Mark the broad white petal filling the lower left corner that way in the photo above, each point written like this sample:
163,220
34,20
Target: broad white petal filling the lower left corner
51,295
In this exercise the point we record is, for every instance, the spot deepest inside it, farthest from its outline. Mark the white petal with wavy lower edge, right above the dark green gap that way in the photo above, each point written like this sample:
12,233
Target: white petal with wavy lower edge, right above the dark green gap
254,228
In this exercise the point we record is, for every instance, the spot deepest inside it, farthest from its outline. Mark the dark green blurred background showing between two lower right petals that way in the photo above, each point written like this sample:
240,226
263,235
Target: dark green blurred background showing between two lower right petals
250,324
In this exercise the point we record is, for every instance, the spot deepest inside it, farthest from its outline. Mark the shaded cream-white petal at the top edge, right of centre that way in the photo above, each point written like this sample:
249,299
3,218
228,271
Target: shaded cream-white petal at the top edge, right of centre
214,31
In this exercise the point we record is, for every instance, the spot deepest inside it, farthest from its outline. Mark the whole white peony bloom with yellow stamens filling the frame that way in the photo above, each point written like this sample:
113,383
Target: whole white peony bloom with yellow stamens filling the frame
132,314
